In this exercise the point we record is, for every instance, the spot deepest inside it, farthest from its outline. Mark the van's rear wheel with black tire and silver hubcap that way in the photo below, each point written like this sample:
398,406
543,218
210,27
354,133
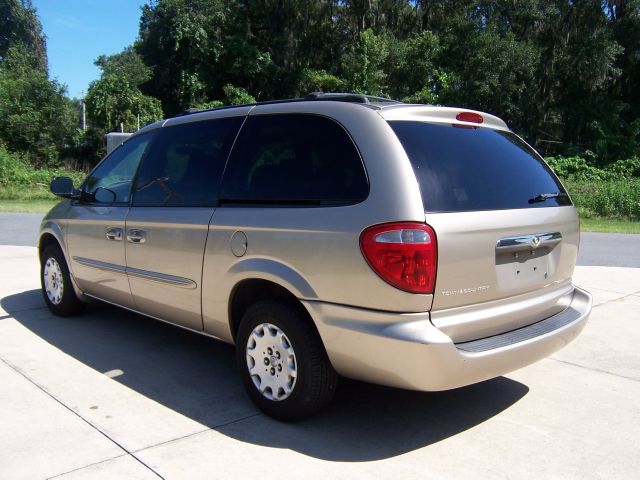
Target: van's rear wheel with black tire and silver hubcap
292,377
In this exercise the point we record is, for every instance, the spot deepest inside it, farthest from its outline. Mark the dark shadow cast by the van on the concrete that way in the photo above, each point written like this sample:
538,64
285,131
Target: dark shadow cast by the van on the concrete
196,377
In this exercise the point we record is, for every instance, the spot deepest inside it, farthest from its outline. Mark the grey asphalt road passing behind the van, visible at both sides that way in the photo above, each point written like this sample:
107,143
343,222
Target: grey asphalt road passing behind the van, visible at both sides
596,249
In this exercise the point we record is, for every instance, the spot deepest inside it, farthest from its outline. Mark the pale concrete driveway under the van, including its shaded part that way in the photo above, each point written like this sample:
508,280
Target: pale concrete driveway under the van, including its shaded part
111,394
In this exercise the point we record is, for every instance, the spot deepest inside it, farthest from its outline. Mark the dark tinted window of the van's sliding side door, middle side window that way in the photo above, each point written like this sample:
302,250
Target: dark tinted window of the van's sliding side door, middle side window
185,163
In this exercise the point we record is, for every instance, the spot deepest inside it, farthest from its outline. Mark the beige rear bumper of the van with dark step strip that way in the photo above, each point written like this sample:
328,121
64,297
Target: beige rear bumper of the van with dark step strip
407,351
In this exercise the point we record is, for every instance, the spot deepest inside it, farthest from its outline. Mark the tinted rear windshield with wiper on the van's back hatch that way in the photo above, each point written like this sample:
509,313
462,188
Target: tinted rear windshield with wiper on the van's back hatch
465,169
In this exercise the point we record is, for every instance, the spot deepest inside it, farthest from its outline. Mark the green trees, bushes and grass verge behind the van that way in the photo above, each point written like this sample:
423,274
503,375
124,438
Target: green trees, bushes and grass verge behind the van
562,74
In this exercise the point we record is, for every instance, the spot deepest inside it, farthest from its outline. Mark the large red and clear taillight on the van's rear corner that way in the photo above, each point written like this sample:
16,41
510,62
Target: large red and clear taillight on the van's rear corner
402,254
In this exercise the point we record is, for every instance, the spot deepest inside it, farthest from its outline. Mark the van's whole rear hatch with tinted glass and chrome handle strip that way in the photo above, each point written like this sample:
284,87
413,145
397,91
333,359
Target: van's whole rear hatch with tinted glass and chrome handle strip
507,232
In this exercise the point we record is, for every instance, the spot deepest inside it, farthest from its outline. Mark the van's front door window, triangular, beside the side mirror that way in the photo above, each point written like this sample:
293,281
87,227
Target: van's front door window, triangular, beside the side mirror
111,181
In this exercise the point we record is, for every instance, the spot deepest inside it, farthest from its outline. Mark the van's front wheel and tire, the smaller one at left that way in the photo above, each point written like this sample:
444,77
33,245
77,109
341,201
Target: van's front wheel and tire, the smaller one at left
55,280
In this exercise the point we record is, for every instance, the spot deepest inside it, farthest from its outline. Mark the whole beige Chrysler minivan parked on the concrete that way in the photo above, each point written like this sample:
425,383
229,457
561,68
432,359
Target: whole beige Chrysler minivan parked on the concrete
413,246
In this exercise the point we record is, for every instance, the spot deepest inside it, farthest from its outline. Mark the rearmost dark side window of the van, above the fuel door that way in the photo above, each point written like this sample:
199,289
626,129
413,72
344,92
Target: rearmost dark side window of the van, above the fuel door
294,159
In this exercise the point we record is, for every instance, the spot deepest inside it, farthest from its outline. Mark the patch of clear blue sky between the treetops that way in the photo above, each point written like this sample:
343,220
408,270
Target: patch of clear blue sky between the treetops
78,31
